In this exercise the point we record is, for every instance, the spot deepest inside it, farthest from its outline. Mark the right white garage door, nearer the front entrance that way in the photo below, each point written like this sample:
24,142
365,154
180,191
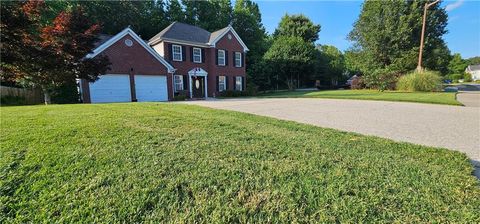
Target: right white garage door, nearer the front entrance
151,88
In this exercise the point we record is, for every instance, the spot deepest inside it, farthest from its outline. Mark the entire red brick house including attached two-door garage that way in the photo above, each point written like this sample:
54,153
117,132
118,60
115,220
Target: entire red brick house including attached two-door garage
181,59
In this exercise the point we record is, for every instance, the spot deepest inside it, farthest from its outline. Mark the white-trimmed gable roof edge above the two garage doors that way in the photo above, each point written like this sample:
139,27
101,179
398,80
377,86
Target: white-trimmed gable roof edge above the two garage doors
128,31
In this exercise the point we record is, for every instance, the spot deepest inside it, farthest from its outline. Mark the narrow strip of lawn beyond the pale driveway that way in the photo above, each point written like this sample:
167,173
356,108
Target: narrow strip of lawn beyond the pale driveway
419,97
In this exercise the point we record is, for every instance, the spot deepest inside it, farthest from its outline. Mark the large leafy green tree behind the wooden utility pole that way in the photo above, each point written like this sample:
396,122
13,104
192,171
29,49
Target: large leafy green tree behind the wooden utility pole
387,35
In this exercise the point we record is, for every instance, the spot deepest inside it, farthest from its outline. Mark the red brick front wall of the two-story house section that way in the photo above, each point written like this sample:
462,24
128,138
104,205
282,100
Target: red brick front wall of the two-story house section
209,65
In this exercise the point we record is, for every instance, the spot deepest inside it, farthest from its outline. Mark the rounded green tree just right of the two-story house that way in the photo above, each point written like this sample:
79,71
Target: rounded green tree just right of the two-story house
291,59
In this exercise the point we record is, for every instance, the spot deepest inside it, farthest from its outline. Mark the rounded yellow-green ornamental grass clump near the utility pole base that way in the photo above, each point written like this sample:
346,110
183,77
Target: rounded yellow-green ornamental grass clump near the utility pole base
426,81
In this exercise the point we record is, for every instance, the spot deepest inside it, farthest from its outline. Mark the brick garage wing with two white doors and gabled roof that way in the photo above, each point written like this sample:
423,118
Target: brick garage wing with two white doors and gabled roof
137,72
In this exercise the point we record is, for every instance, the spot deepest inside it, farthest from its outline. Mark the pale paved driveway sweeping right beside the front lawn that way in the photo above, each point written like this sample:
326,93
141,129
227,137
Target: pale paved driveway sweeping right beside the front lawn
452,127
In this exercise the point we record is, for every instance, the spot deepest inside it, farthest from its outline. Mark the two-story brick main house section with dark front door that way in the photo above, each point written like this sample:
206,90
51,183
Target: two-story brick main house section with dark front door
206,63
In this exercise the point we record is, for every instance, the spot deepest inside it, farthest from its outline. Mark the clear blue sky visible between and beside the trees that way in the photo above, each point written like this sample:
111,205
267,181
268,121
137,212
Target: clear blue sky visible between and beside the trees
337,17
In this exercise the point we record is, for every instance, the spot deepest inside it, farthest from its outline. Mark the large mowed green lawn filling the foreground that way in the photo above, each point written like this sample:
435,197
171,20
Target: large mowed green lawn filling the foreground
165,162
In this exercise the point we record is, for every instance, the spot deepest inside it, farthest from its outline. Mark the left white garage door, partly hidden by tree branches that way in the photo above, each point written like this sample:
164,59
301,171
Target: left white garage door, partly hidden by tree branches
111,88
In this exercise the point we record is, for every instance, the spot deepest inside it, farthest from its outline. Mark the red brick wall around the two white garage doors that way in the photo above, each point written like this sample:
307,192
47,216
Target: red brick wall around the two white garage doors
132,60
